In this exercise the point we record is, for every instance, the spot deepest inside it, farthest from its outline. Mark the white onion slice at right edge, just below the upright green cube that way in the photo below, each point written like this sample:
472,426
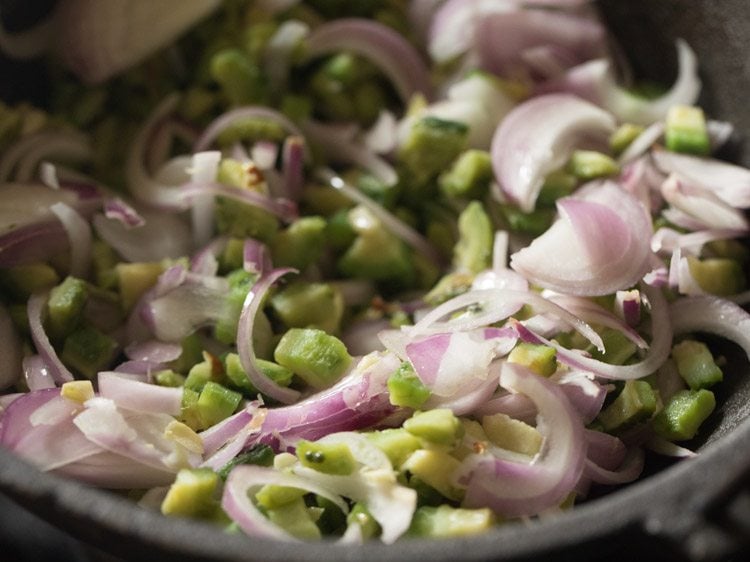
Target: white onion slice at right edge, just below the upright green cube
729,182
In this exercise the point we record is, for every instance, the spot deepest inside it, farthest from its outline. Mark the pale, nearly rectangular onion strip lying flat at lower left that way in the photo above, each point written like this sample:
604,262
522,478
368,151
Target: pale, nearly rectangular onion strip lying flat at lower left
140,396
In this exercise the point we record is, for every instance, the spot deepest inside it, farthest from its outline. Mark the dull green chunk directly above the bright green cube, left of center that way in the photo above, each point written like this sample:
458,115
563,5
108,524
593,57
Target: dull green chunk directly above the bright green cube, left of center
314,305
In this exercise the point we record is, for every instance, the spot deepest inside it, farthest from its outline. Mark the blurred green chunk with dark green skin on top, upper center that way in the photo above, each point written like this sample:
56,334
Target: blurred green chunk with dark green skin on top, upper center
432,143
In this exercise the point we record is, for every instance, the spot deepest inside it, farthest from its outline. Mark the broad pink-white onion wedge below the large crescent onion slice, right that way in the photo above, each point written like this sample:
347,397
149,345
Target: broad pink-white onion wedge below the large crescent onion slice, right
601,244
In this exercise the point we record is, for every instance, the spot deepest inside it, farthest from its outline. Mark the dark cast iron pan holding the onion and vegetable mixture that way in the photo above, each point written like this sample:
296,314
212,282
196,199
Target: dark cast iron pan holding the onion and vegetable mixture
697,509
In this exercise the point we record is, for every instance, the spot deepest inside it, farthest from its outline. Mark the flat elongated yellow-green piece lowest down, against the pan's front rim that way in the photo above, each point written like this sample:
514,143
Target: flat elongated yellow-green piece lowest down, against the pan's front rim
446,521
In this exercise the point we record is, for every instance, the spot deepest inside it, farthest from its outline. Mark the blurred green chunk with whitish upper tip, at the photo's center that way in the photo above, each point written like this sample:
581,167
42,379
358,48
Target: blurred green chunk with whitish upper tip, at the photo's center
375,254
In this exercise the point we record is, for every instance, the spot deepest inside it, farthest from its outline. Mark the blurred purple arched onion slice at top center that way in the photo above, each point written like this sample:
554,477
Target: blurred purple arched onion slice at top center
383,46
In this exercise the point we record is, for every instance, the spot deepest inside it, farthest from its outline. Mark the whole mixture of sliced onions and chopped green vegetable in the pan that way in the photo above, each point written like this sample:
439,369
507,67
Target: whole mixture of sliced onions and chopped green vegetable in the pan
363,270
